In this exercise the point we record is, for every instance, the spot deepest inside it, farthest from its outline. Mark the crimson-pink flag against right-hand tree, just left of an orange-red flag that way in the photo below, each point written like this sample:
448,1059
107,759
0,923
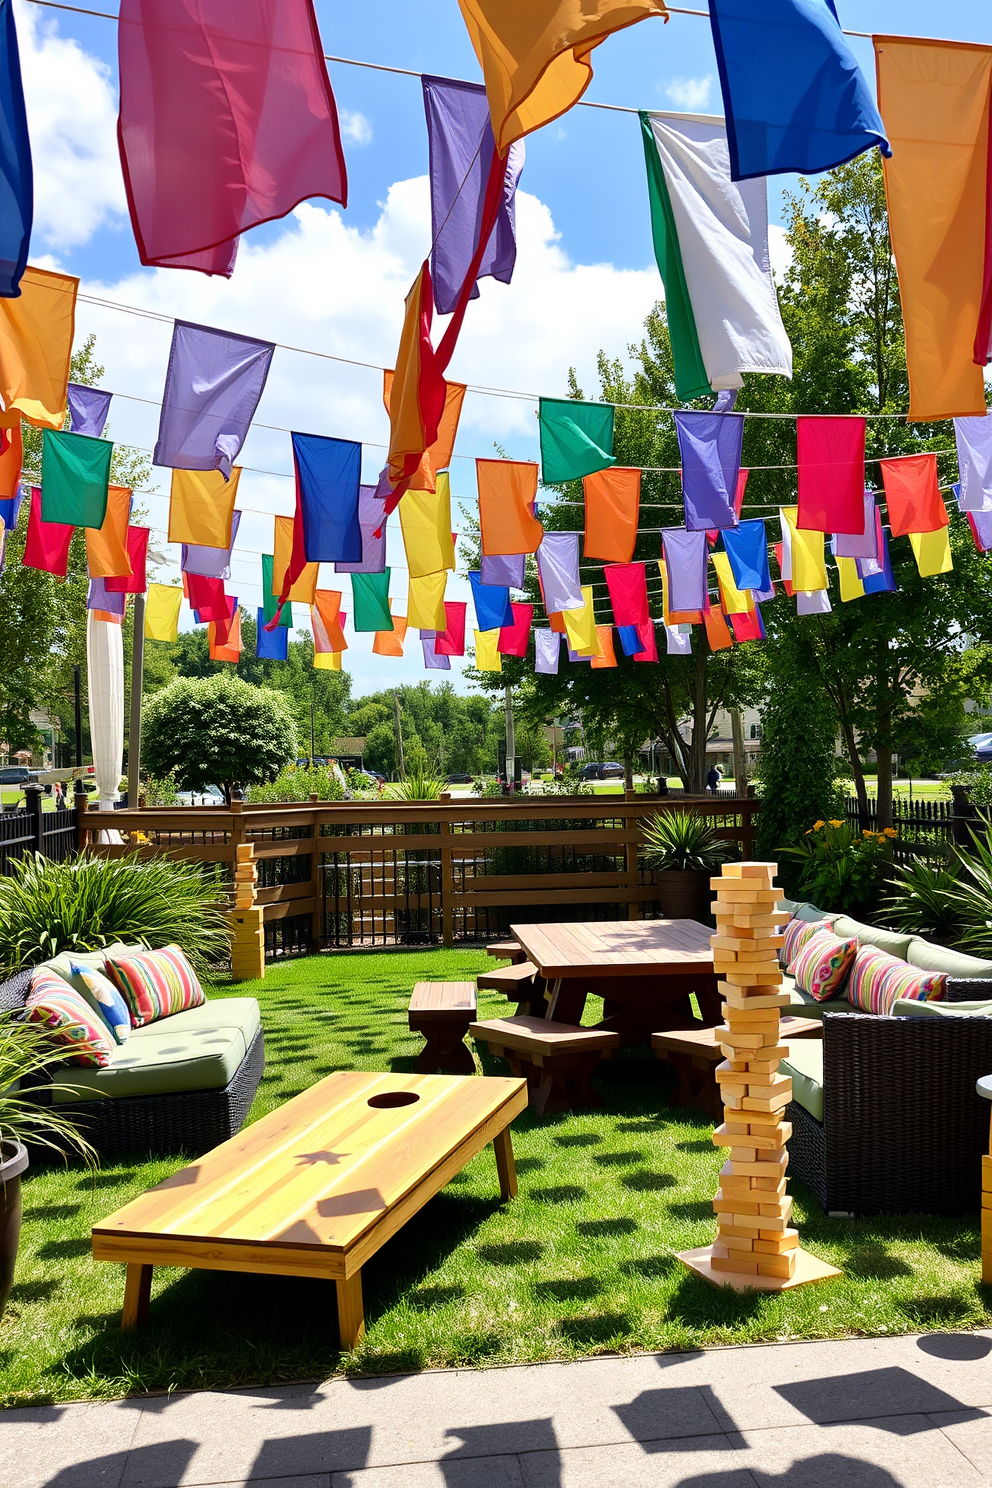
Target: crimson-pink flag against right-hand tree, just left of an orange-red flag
831,455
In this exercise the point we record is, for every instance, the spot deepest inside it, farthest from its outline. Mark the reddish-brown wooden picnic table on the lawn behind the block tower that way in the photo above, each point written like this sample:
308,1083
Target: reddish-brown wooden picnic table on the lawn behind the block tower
645,971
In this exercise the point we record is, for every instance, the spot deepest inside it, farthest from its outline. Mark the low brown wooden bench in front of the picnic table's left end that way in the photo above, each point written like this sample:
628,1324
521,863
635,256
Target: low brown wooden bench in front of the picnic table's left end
557,1060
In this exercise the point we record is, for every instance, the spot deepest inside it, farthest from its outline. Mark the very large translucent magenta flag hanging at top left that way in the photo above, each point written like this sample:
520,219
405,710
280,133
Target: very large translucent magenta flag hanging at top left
227,121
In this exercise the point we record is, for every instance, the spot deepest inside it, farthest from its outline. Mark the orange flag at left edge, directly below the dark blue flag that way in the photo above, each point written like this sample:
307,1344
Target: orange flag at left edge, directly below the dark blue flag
36,346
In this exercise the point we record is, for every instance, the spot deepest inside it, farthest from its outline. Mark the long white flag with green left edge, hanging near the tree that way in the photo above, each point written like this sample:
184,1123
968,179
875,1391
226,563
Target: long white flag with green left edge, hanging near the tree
712,248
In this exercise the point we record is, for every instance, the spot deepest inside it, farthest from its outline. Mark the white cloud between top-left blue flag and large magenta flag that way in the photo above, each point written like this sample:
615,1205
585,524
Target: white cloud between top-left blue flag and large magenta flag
72,117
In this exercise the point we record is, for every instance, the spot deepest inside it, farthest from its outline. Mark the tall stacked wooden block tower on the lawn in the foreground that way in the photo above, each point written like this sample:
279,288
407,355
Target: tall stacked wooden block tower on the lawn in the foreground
756,1245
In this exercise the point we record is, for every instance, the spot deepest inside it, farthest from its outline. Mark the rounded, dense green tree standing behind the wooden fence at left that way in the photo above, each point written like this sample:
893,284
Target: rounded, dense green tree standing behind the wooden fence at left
218,731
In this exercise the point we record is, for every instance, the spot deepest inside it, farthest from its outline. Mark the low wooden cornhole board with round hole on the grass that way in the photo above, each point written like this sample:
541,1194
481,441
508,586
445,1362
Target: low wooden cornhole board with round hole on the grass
318,1187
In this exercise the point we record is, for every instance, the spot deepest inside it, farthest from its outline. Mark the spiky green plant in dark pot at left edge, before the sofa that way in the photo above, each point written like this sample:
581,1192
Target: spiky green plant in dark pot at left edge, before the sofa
26,1051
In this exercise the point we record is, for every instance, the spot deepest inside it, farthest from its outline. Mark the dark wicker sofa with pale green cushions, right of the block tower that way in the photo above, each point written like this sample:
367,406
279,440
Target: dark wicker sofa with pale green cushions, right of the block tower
886,1115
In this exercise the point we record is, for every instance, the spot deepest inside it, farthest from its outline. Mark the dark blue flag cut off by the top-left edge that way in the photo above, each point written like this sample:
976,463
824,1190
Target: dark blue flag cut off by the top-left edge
17,179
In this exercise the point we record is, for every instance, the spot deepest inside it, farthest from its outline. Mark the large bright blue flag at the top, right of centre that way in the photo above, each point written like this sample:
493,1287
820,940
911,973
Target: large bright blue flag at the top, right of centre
793,93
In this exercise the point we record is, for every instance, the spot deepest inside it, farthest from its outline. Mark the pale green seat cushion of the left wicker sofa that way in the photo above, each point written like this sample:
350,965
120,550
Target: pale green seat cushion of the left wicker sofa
199,1050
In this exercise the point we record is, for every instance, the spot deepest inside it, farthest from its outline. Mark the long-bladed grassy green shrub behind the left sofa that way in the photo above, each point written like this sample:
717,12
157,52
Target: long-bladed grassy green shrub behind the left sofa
90,902
